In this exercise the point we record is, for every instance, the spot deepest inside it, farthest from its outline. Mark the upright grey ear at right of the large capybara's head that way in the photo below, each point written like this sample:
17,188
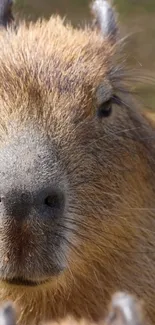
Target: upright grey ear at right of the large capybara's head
105,19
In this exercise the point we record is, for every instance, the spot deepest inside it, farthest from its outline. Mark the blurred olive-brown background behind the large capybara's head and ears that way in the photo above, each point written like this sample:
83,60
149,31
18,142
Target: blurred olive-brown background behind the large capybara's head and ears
137,18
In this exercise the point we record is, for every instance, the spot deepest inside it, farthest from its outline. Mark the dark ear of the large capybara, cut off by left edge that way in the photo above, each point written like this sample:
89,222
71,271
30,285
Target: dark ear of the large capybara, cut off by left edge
6,16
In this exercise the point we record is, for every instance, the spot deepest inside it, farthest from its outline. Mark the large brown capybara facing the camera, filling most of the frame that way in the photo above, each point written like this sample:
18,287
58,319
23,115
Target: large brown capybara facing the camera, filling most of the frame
77,171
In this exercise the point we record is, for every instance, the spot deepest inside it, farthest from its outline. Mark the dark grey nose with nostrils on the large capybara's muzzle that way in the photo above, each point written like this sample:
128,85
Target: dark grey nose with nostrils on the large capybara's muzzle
19,204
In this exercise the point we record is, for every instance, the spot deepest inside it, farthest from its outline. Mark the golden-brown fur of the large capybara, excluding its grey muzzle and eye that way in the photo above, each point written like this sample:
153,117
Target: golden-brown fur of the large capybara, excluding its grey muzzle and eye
49,74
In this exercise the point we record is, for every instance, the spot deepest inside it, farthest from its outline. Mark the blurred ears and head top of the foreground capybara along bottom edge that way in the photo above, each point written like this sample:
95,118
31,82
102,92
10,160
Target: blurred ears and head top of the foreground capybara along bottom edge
123,309
